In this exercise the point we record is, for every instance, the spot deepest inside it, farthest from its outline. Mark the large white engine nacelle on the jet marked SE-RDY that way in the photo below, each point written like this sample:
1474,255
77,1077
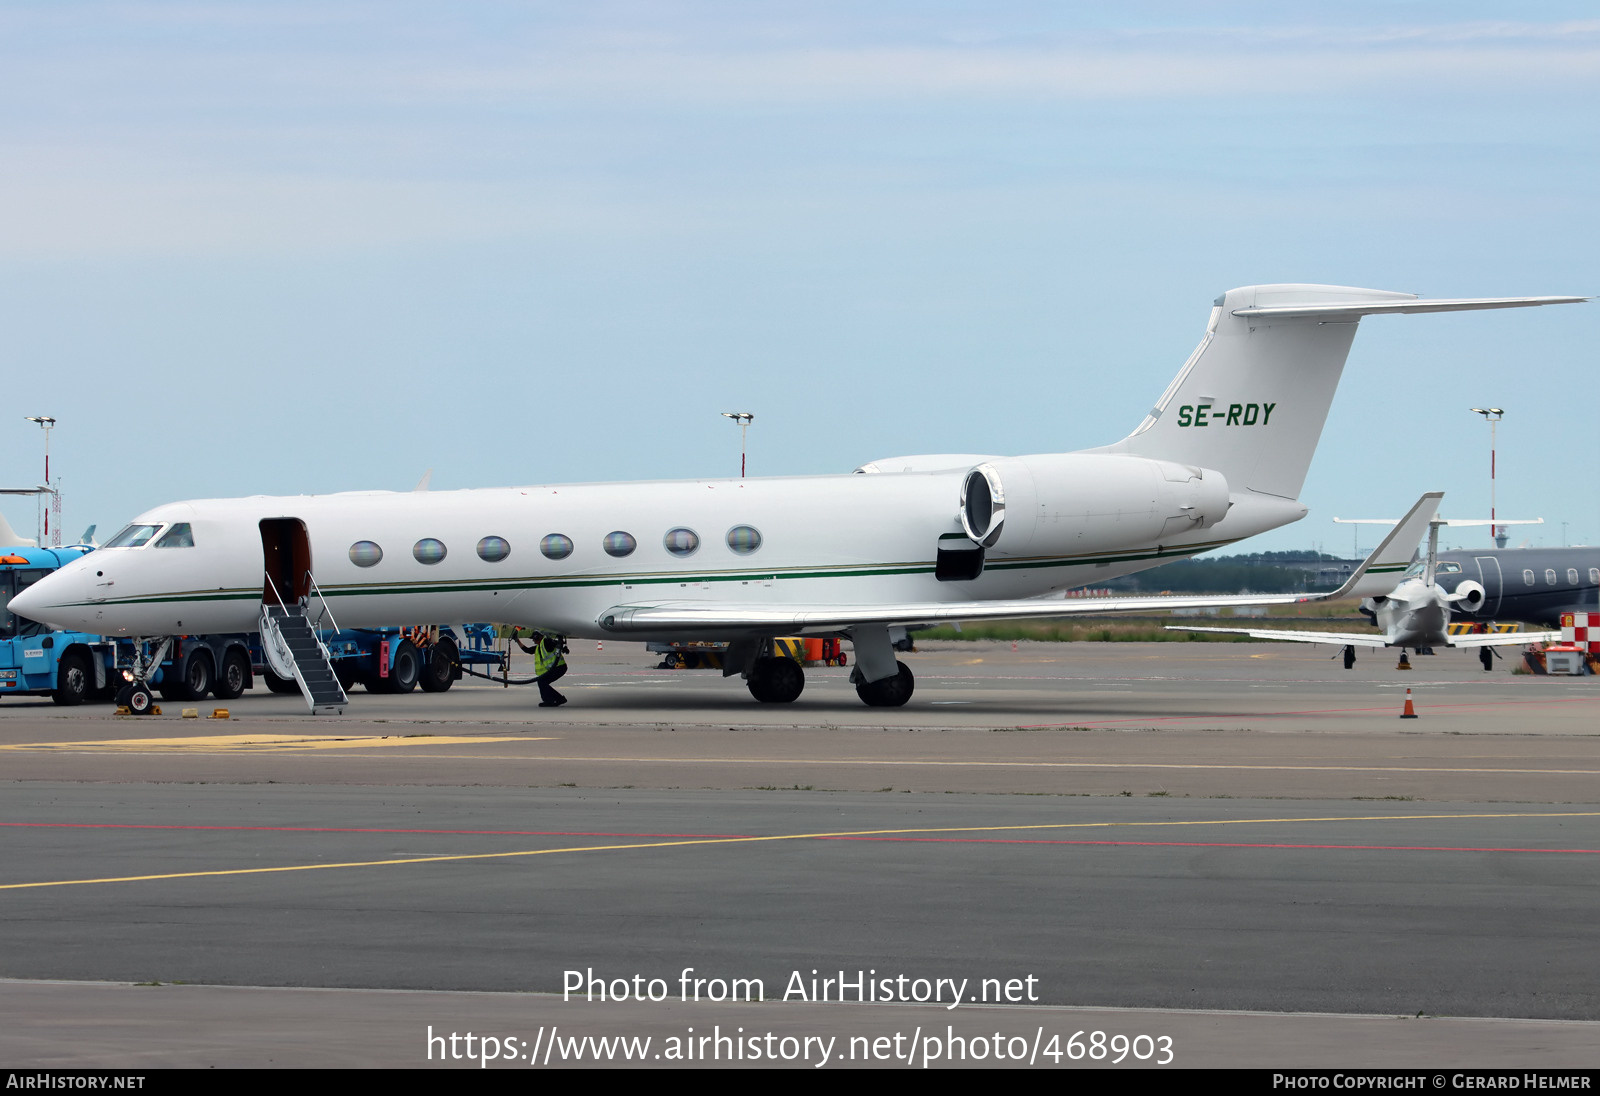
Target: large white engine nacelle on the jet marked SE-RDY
1084,503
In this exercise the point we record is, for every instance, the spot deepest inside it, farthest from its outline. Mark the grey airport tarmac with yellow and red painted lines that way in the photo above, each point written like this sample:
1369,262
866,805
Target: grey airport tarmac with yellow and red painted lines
1207,854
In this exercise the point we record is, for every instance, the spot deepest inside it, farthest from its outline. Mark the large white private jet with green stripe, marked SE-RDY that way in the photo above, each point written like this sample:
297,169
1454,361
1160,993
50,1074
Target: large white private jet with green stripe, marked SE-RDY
905,542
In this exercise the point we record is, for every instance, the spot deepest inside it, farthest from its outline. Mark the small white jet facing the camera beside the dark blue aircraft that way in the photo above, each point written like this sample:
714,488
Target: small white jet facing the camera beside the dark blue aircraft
1417,612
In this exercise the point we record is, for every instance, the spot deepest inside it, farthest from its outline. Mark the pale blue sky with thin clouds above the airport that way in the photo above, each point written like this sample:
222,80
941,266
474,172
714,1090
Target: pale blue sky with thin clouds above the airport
313,247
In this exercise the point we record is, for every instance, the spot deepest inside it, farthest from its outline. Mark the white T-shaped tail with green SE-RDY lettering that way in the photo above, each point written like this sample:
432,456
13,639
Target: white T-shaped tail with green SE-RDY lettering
1252,401
